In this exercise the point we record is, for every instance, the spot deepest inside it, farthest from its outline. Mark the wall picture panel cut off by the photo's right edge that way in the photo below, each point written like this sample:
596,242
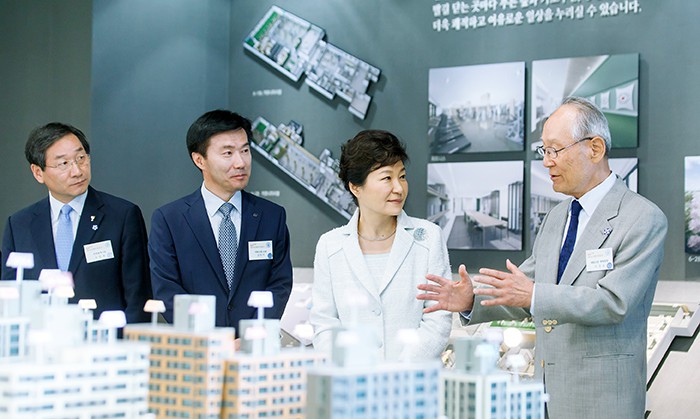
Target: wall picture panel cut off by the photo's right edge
692,216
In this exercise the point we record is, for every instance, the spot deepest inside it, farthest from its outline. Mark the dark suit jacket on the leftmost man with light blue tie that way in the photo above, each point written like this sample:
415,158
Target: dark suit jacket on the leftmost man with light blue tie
121,283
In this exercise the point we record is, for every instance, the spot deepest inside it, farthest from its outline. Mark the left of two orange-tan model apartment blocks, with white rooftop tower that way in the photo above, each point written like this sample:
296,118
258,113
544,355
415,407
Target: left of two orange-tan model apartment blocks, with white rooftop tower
187,359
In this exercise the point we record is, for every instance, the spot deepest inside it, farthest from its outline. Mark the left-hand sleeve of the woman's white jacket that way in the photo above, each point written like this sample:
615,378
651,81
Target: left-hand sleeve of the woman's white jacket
324,313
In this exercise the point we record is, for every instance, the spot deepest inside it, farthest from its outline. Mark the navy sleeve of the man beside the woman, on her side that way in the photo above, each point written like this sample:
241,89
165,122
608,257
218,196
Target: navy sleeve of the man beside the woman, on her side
280,280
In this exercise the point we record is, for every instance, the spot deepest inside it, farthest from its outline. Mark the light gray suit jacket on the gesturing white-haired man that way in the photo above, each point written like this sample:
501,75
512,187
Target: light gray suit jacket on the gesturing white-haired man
591,329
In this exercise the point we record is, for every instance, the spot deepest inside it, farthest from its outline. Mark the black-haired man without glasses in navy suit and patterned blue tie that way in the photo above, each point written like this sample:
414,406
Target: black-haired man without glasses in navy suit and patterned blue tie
221,240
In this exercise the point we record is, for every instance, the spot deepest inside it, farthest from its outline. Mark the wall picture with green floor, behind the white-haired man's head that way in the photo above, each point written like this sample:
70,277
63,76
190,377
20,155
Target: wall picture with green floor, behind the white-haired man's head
609,81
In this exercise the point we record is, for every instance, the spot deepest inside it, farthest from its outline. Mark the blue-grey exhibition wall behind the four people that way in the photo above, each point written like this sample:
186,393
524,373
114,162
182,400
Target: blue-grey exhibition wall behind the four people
157,65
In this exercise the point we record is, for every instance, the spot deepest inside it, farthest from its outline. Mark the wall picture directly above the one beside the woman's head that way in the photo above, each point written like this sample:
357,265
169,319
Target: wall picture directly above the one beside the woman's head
478,108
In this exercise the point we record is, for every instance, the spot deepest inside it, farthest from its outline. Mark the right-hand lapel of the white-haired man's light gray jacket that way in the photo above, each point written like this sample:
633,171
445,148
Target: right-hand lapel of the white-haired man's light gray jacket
597,231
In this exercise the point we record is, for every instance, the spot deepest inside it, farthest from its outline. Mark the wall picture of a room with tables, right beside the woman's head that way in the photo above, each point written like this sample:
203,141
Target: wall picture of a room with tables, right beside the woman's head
478,205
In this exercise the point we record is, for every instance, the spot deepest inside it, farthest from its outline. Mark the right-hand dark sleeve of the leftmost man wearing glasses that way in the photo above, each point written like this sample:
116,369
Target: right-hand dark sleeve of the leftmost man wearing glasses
134,266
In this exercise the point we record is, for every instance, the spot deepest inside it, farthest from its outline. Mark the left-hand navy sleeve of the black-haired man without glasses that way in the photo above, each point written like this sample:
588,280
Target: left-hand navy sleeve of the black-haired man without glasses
165,272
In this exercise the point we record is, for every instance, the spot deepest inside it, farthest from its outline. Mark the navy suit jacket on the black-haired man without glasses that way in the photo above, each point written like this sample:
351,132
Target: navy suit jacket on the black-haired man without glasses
185,258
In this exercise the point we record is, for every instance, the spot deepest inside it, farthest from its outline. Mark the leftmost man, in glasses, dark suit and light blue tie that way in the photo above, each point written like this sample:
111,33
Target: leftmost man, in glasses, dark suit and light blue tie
99,238
